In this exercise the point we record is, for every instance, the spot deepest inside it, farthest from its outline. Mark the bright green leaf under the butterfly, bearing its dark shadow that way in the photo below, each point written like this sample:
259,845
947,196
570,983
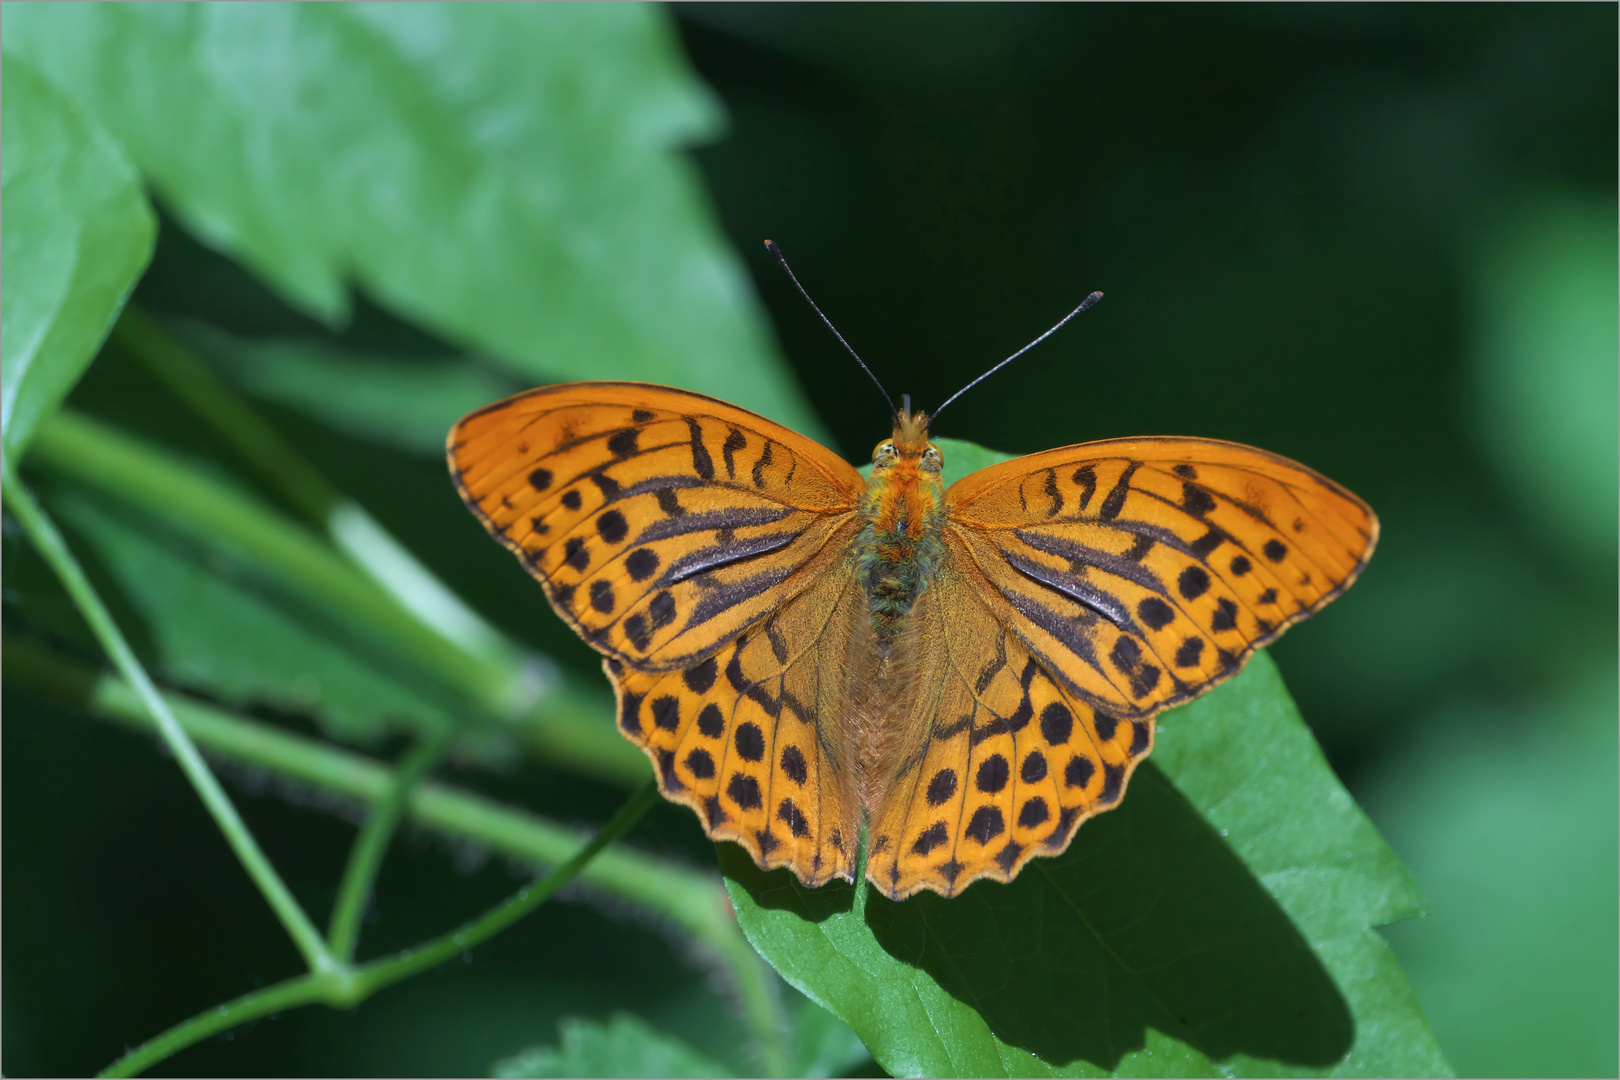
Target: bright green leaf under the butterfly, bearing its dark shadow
1219,921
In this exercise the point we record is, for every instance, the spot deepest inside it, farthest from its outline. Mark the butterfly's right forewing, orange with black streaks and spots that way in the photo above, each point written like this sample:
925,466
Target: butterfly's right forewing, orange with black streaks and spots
1141,572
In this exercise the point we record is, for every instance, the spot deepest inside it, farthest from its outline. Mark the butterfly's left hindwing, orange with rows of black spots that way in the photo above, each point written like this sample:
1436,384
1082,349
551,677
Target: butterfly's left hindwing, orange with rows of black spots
757,739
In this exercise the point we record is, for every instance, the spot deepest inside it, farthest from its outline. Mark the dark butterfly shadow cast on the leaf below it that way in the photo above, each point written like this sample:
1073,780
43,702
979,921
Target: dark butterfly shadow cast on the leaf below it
1148,921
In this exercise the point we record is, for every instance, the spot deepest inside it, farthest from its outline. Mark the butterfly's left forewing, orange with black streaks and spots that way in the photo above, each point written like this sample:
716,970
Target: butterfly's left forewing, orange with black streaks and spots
662,524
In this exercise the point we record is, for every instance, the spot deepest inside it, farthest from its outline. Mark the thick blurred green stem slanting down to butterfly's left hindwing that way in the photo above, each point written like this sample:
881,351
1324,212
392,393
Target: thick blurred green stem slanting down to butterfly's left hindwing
566,726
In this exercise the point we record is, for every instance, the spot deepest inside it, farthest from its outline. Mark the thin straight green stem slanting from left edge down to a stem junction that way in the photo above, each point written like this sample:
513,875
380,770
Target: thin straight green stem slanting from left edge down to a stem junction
54,548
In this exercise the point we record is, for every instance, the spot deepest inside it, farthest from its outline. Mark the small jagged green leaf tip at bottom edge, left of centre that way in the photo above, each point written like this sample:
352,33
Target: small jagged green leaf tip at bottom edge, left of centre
625,1047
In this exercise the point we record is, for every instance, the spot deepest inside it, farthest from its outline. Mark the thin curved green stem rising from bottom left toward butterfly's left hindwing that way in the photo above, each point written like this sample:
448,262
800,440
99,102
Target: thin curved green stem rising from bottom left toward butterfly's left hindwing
347,987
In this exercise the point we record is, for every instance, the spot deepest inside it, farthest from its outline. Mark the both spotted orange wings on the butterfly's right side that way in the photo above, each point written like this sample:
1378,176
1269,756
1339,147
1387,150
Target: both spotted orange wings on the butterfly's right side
1083,592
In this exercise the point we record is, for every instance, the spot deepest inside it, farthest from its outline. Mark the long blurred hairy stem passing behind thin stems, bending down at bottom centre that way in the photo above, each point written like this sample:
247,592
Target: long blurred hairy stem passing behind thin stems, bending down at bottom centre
689,899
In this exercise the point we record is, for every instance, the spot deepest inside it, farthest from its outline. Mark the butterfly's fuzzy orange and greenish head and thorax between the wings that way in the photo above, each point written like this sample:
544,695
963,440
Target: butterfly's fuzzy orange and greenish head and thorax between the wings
903,511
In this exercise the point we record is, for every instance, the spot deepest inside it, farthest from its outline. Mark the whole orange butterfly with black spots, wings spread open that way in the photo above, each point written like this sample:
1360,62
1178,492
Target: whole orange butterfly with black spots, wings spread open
968,674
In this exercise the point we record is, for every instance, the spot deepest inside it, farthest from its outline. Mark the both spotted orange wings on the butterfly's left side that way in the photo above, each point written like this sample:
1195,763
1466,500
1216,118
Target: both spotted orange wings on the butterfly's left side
706,553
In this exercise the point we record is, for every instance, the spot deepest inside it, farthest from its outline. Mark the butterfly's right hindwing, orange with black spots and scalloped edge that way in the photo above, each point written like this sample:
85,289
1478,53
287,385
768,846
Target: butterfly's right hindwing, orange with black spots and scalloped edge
994,760
